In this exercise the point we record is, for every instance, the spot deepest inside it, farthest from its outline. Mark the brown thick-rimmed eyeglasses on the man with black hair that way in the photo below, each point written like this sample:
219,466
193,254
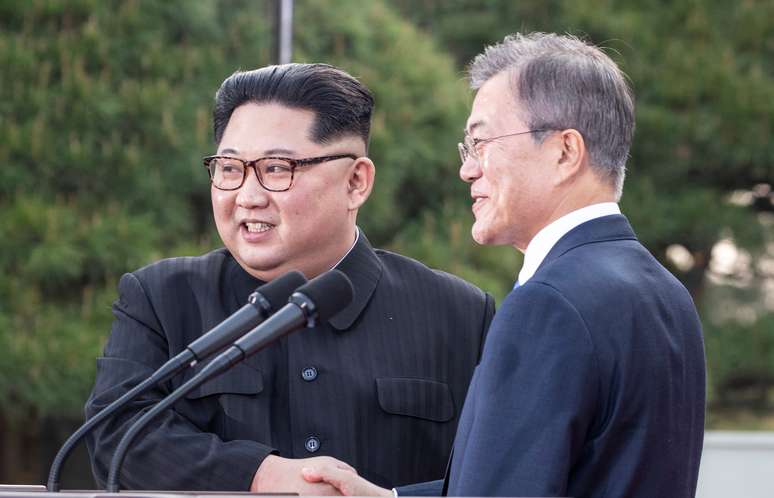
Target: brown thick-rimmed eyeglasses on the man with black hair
275,174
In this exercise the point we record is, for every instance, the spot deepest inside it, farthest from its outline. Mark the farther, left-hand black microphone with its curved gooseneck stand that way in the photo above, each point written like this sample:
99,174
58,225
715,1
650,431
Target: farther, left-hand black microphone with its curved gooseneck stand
260,304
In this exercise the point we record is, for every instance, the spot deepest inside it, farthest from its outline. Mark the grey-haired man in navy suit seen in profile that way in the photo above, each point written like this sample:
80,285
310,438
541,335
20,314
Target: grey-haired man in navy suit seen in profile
591,383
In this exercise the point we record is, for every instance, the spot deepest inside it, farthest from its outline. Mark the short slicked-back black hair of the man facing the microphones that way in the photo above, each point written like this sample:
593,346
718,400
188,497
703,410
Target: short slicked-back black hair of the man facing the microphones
342,105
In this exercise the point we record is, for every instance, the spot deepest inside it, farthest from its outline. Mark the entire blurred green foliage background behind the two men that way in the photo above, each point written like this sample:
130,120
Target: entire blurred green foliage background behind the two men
105,113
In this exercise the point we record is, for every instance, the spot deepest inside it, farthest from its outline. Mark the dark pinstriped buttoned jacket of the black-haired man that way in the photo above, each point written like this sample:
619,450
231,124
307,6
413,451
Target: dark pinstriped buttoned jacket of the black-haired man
380,387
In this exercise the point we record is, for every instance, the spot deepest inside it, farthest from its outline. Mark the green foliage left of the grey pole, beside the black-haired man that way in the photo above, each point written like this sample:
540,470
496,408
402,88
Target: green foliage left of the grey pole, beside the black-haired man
105,115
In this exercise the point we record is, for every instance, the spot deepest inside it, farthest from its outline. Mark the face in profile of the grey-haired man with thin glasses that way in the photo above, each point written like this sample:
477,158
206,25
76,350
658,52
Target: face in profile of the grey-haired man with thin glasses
512,182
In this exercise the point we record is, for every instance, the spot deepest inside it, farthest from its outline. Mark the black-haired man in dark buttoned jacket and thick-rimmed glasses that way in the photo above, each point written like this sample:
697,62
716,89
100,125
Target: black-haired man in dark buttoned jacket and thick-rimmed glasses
380,386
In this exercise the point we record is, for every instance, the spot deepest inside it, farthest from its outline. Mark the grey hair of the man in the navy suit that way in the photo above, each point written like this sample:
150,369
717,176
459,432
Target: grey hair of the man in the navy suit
563,82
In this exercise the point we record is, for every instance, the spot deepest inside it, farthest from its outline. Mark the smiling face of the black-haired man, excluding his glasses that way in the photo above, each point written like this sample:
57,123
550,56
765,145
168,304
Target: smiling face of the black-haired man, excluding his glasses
307,228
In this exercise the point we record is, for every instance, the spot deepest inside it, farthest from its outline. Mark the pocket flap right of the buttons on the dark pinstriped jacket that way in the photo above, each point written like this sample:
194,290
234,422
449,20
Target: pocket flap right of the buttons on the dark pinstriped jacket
422,398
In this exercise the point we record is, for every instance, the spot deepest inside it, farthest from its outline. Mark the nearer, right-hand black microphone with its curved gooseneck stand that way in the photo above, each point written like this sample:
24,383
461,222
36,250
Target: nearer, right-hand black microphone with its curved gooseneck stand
315,302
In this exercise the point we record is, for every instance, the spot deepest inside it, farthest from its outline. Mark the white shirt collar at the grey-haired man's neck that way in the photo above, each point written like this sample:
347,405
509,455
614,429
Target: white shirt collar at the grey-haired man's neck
549,235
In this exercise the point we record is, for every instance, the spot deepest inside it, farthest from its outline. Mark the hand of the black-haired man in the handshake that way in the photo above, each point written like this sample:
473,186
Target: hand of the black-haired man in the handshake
283,475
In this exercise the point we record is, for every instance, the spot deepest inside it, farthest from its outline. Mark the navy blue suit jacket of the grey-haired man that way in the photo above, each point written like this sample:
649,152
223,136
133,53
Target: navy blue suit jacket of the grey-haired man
591,383
